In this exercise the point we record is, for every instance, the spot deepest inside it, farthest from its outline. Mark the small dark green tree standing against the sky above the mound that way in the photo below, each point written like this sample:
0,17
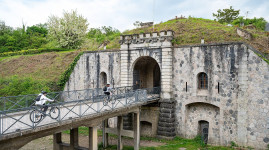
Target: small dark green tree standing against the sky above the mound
226,15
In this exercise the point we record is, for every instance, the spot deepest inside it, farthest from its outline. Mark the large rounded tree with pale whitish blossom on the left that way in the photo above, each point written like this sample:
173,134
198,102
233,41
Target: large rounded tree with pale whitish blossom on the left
69,31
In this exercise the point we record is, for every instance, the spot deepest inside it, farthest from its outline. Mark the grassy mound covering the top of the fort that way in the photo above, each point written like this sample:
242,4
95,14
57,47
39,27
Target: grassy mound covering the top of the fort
190,31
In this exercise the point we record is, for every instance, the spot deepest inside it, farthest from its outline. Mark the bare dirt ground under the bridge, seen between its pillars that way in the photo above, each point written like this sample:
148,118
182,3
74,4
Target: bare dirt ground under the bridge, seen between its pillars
46,143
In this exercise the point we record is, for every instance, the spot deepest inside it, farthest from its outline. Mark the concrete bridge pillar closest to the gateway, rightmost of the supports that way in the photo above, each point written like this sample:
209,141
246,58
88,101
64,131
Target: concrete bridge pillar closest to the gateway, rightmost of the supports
136,130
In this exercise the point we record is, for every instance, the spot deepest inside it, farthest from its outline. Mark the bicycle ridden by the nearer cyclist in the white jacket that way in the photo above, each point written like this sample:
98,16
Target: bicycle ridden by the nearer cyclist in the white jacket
37,114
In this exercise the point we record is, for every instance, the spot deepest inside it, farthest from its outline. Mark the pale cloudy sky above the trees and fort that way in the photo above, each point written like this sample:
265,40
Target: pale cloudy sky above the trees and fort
121,14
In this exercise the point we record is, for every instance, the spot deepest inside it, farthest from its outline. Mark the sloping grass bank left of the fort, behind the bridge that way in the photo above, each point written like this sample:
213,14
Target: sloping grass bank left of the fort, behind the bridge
29,74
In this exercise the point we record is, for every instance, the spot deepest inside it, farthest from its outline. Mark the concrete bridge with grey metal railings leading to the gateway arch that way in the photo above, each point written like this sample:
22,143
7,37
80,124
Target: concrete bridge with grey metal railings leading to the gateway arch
77,108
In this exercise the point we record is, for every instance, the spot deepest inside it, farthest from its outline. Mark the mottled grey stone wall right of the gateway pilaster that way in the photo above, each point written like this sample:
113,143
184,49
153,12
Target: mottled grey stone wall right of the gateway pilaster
237,86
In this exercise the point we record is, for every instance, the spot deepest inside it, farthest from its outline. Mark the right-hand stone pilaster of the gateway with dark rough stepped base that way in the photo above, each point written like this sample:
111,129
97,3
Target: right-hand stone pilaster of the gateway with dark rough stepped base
166,124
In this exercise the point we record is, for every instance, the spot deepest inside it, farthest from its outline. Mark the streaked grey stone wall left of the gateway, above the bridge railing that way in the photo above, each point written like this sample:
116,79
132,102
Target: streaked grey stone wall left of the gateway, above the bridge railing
89,67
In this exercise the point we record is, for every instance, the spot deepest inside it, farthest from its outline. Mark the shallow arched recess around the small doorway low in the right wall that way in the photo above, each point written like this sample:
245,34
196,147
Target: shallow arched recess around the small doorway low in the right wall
198,116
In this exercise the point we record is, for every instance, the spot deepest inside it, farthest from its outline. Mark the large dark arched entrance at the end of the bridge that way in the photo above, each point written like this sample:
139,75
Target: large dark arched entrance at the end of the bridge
146,73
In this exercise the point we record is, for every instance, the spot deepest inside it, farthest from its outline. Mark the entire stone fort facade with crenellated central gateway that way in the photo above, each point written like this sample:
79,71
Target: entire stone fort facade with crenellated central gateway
219,91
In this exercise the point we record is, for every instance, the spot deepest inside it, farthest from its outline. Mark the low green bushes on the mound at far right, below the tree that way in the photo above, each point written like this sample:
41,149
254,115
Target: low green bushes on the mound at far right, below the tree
259,23
